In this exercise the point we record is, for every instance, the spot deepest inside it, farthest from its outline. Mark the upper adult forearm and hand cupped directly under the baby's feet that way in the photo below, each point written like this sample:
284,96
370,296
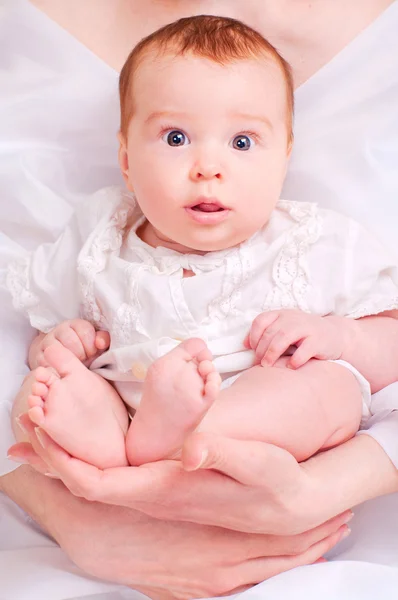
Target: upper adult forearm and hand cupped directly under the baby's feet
263,487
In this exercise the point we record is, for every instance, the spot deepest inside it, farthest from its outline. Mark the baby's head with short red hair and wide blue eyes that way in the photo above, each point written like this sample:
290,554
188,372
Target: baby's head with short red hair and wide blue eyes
206,131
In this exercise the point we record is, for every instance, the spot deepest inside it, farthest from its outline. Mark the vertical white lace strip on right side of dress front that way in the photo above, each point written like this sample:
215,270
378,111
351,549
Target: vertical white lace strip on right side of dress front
290,271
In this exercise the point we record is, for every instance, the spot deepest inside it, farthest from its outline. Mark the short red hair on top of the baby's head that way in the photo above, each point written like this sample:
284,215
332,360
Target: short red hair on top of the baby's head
220,39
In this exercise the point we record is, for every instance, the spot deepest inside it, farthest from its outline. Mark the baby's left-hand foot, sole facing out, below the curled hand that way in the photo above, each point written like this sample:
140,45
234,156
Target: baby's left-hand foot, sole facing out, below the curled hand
79,409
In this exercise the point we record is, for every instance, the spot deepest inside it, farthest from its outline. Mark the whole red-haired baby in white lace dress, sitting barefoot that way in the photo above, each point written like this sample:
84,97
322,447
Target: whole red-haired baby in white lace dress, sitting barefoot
197,299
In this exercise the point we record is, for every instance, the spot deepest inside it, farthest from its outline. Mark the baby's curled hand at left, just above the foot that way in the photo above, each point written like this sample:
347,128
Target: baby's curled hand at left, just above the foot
78,336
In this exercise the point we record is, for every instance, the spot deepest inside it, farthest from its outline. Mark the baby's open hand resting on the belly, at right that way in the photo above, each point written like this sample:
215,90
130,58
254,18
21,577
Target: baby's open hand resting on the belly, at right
272,333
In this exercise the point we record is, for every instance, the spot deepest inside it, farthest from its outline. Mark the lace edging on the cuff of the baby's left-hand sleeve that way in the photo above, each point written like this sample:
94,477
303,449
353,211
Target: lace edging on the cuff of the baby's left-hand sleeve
24,300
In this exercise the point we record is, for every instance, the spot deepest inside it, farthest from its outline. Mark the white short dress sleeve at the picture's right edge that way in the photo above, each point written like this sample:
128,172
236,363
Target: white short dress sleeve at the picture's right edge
367,283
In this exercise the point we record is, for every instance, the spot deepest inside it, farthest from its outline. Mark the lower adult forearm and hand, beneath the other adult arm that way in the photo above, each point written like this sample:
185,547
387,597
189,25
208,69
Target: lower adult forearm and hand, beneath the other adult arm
163,559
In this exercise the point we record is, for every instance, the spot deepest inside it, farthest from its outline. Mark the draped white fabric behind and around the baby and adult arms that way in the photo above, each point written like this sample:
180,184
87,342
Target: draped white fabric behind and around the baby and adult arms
58,120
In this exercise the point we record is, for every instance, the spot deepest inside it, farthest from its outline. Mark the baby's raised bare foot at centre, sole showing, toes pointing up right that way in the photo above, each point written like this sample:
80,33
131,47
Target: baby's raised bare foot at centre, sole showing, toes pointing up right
179,389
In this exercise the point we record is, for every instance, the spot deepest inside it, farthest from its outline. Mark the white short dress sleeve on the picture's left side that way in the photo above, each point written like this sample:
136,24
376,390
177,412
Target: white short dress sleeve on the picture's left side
44,284
